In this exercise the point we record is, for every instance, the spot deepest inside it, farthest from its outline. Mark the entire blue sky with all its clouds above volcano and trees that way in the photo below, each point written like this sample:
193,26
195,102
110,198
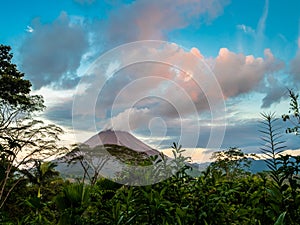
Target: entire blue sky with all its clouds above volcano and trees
196,72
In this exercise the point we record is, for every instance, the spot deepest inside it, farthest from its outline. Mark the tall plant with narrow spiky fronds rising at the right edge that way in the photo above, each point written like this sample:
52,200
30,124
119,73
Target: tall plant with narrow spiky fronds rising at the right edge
283,196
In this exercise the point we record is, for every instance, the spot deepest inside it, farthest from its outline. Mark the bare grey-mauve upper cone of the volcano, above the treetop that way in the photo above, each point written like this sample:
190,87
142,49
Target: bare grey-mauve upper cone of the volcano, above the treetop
120,138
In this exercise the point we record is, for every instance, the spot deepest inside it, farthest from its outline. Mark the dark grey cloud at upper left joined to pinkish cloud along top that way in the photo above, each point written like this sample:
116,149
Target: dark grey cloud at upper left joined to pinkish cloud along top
52,54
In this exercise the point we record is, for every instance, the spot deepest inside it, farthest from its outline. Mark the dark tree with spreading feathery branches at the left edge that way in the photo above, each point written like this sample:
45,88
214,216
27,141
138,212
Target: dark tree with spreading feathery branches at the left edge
22,138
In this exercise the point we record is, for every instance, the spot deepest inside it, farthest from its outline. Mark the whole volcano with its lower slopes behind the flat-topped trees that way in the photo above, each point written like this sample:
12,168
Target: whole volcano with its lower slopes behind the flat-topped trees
113,149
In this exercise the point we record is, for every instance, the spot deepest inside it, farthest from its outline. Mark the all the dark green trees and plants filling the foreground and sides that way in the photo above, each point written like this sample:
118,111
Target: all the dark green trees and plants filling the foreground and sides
32,192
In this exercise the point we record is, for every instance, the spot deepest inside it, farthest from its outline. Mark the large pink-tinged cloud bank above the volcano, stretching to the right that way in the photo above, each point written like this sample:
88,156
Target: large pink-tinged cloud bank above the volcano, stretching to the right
178,82
